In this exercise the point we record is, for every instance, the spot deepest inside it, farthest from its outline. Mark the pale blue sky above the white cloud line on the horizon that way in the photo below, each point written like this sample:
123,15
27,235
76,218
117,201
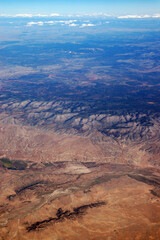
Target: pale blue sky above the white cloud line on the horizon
113,7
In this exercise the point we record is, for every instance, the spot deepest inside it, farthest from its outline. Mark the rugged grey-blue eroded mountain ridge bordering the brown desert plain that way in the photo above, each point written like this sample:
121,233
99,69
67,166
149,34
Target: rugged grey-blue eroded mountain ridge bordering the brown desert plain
82,118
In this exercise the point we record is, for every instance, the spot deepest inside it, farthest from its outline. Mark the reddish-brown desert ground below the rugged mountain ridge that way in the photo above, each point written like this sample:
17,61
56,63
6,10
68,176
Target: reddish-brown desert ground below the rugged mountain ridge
77,187
